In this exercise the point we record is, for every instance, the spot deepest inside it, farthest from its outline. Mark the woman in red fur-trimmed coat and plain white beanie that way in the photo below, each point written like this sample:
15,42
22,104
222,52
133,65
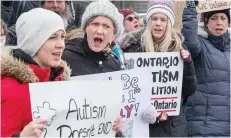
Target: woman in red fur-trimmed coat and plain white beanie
37,58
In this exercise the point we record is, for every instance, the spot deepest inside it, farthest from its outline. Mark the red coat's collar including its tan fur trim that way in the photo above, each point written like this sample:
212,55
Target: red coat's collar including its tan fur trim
27,73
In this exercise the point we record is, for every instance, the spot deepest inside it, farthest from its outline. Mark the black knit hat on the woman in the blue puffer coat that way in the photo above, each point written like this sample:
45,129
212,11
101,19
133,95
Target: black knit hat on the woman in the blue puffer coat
207,15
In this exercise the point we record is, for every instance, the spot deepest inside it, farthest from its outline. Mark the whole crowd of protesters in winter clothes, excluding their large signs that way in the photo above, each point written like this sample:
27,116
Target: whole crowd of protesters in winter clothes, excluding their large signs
53,40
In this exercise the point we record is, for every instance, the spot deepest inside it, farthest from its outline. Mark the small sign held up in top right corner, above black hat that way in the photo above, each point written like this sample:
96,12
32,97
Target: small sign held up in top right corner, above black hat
212,5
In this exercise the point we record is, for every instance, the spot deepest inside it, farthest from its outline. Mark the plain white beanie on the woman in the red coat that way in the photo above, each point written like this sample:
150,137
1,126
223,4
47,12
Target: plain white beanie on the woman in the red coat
33,29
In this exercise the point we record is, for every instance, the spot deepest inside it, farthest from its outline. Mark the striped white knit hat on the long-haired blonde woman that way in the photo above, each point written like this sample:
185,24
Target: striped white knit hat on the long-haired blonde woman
162,6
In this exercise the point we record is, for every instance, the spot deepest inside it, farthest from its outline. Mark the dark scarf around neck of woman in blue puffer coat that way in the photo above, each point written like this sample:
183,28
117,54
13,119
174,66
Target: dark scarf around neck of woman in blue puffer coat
221,42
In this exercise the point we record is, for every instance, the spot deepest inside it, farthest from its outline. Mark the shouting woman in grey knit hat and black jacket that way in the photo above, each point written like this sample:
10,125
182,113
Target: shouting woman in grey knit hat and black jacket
91,54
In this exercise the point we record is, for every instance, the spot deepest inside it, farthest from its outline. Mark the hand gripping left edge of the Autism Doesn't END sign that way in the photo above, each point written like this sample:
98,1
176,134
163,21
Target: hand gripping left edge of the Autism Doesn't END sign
34,128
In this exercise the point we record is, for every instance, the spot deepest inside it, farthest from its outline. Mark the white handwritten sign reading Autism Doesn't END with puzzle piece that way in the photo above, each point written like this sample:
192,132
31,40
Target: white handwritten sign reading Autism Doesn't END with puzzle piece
77,109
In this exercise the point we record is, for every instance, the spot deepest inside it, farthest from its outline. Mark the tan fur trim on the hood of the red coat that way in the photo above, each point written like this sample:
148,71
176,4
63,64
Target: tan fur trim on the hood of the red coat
16,68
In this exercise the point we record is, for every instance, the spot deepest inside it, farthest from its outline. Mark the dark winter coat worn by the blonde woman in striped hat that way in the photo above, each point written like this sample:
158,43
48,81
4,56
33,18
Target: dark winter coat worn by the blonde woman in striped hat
175,126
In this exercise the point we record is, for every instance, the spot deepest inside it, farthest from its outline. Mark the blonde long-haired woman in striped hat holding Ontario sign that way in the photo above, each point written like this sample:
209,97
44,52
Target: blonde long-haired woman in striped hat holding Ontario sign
159,36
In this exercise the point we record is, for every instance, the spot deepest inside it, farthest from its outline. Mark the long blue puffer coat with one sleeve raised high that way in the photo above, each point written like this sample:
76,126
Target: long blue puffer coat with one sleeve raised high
208,112
